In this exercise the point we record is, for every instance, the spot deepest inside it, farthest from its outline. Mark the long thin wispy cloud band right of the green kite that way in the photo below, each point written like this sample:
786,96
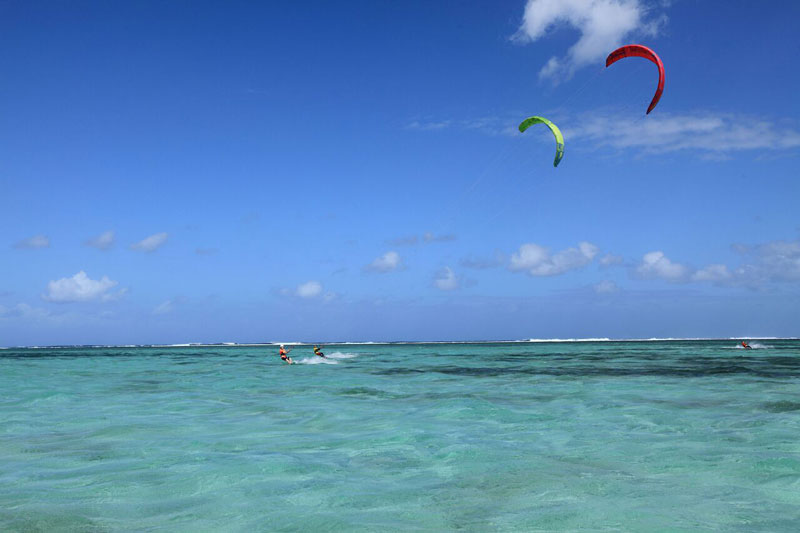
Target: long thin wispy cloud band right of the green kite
708,133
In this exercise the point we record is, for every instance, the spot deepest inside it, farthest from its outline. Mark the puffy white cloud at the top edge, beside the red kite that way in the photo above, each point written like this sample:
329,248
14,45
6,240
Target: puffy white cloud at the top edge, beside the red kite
603,25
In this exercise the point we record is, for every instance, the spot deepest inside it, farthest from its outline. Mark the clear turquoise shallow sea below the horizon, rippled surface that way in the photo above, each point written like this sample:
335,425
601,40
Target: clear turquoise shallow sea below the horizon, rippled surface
608,436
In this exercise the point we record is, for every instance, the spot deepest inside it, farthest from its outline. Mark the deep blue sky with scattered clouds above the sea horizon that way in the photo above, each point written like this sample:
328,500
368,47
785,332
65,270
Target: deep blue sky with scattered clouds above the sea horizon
253,172
